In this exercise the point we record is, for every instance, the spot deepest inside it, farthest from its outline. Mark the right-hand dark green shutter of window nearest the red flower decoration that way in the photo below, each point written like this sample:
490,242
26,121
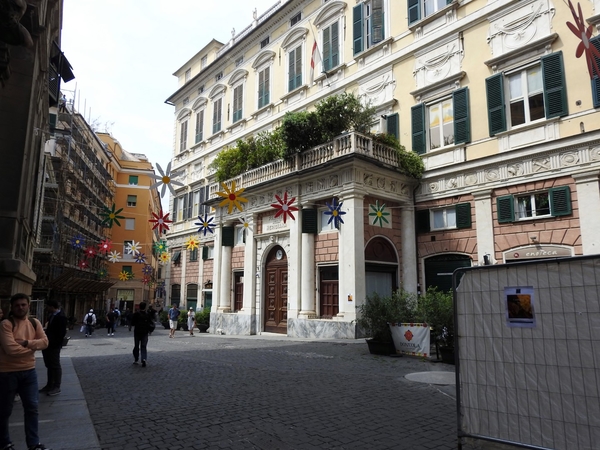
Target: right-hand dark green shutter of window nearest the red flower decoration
555,90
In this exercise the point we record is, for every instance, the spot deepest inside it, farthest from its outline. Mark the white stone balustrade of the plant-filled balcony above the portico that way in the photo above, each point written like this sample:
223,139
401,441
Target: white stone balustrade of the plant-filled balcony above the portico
347,144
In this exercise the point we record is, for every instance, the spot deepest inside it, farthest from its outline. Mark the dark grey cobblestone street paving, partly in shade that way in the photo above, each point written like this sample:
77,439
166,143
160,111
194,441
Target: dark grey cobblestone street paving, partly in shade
258,392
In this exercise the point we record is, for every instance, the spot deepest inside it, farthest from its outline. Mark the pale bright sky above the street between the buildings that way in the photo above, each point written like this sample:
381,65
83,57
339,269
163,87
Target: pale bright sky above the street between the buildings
124,54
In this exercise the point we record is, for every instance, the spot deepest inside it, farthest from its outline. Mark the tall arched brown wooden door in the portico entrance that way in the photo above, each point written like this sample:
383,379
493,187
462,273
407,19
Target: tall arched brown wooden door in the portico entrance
276,291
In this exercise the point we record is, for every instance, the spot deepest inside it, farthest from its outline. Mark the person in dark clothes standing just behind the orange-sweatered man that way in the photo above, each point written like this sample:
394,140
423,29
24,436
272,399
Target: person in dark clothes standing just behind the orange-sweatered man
56,328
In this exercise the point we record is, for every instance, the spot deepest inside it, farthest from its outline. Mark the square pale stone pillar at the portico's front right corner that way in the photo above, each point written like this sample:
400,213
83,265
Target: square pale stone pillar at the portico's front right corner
351,256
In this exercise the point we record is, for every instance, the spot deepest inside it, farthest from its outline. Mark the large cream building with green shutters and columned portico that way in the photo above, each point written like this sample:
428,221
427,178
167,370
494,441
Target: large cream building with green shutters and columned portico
490,93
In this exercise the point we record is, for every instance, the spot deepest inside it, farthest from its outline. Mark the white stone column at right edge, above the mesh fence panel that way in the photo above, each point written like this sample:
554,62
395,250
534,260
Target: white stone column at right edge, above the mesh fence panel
588,197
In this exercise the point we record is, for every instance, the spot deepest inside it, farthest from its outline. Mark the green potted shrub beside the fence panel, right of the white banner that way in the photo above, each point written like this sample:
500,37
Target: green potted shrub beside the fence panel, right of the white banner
437,309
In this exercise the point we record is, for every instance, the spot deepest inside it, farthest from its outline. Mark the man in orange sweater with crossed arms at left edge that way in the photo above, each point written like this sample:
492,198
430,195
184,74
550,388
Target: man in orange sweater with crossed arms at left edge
20,337
